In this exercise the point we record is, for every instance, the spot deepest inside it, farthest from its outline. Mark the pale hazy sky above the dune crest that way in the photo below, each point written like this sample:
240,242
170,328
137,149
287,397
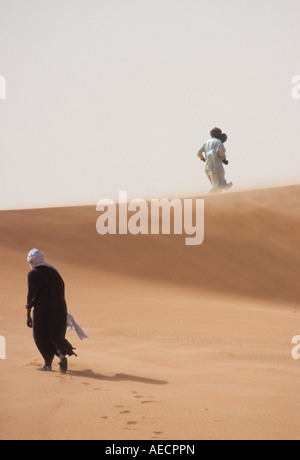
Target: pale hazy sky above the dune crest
109,95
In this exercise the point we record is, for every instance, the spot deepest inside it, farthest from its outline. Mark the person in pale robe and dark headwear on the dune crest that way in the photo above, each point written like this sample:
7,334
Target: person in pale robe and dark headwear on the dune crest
213,153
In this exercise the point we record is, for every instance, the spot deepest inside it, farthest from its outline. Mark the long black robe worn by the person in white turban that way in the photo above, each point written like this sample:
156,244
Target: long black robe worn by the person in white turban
46,293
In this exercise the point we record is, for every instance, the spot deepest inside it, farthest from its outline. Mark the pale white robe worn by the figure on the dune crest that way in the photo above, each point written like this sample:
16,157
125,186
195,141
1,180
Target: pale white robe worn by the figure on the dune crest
213,153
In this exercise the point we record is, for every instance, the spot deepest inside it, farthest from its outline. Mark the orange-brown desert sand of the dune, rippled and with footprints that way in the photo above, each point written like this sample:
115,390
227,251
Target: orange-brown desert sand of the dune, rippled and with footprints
184,342
